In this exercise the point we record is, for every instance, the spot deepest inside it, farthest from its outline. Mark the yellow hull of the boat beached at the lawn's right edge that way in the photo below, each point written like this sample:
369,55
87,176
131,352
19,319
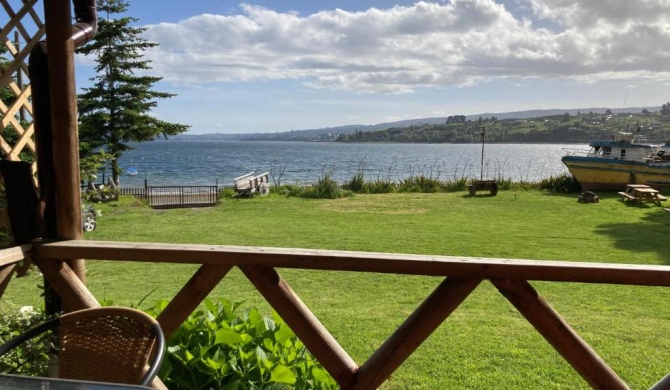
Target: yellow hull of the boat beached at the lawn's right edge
600,174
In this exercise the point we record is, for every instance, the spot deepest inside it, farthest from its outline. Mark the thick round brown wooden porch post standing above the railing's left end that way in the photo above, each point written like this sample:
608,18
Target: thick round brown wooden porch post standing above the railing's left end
63,97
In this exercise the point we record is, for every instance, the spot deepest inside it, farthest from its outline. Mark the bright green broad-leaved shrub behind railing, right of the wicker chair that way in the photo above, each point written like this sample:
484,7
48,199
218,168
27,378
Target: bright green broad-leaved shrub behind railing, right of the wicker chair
220,347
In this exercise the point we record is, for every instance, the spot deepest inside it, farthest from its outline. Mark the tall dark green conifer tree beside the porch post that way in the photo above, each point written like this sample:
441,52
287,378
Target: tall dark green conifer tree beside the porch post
116,110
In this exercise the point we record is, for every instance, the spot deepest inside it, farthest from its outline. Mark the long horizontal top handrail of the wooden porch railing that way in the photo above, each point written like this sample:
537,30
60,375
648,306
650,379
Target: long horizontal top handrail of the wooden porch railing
316,259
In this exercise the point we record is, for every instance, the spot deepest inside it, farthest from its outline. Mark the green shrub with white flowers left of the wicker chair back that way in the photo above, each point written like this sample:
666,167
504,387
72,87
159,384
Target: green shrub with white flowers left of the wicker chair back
32,357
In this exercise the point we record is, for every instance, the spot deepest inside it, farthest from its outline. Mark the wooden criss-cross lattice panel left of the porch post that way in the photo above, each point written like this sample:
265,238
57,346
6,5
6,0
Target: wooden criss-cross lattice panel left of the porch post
21,33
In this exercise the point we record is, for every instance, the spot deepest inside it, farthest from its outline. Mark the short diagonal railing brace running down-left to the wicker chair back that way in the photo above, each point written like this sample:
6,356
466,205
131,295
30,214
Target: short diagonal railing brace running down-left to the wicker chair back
189,297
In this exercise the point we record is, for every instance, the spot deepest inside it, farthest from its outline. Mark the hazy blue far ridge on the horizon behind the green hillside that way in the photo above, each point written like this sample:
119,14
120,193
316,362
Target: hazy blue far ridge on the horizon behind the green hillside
330,133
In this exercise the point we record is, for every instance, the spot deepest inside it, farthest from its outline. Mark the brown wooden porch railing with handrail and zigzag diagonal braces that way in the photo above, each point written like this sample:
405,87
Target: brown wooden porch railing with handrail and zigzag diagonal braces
462,275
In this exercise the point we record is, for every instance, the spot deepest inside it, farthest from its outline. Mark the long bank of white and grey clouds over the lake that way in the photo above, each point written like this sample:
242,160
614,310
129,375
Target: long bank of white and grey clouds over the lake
397,50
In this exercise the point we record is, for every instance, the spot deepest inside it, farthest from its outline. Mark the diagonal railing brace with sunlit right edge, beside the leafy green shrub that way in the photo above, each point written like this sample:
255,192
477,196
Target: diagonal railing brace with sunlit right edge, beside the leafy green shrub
301,320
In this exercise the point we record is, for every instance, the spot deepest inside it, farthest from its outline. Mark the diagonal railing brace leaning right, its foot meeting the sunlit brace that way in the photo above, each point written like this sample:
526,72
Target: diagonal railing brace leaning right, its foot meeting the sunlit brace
414,331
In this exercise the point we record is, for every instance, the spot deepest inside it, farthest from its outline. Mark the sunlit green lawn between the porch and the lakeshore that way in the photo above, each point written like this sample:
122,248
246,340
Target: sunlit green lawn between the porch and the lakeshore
485,343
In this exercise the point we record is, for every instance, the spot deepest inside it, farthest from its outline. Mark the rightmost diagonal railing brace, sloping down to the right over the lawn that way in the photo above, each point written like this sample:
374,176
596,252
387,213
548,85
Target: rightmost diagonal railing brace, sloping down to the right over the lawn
559,334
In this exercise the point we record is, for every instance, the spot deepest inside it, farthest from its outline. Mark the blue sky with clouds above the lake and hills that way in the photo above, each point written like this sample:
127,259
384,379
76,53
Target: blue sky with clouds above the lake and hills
272,66
